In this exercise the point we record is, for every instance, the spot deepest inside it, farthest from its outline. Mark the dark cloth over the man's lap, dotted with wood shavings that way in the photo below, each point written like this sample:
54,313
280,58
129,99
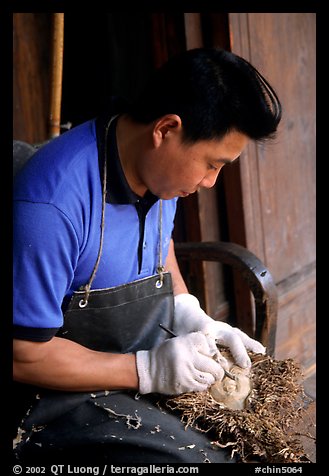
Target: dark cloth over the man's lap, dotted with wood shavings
115,427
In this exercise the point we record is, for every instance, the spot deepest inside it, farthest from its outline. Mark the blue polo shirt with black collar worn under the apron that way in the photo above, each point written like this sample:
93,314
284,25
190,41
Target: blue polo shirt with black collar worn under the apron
57,223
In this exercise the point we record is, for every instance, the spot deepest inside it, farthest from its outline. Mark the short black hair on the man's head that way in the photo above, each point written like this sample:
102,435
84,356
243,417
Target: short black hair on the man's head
214,92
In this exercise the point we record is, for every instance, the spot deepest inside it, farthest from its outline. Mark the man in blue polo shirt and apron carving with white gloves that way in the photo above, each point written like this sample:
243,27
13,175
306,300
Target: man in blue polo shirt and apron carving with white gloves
93,215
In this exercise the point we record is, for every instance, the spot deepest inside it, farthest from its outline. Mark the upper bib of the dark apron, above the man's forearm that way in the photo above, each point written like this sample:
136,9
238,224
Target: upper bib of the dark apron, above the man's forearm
121,319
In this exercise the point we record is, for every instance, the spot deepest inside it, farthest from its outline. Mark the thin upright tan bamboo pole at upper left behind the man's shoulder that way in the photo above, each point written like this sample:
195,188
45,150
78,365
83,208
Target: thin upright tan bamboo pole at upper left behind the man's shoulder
56,75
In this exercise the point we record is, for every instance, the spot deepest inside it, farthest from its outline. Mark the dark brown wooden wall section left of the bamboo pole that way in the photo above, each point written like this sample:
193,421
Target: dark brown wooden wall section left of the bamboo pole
31,81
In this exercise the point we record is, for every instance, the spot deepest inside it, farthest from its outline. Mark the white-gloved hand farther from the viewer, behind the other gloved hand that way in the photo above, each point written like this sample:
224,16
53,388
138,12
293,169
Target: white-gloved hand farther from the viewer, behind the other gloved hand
189,317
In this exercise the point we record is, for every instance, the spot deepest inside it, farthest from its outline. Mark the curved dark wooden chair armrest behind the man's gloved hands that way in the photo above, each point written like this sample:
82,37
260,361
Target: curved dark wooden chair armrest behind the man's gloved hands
254,273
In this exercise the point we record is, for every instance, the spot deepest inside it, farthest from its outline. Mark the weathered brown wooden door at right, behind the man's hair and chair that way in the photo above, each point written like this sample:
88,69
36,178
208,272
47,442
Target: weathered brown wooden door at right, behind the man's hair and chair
277,179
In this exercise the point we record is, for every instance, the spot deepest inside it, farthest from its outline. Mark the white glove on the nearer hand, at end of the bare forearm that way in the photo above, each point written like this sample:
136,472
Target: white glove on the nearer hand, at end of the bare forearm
178,365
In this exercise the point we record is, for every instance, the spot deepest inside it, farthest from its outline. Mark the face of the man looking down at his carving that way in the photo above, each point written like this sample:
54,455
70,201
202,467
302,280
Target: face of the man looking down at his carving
176,169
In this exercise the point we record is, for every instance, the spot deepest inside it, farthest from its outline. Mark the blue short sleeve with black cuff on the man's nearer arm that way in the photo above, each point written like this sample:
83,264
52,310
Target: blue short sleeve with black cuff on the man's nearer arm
45,253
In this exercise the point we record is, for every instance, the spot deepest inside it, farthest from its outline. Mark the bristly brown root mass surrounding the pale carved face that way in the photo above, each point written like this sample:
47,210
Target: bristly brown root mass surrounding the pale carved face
265,429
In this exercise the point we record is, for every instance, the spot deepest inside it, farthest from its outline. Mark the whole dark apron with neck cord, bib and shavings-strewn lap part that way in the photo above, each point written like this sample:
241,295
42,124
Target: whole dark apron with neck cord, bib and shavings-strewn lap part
114,426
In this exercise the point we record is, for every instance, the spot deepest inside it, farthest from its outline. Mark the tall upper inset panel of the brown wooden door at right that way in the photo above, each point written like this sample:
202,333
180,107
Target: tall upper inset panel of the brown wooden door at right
287,169
